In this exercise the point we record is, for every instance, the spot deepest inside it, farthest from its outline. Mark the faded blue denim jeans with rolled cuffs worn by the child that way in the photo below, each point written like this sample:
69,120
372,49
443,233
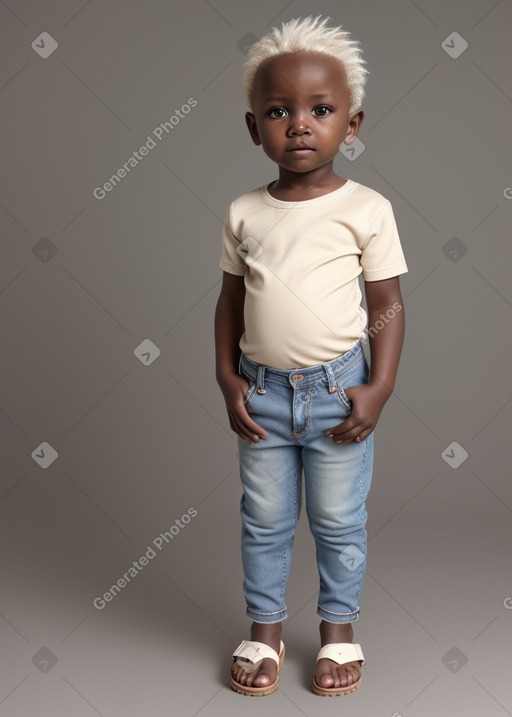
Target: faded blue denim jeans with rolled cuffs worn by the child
296,407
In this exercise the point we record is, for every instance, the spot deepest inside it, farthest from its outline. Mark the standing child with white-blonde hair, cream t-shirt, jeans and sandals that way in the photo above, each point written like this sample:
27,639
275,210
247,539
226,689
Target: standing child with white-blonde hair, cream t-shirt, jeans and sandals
288,331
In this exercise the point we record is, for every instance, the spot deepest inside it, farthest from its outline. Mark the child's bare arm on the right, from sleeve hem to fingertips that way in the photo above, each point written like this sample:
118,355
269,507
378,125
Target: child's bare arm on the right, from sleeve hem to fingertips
386,325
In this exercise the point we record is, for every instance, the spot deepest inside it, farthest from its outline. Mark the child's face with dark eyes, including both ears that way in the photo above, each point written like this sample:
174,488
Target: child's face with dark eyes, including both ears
301,106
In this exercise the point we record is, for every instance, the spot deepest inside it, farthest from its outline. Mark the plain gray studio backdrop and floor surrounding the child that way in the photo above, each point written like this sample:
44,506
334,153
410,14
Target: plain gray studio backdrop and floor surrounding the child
140,441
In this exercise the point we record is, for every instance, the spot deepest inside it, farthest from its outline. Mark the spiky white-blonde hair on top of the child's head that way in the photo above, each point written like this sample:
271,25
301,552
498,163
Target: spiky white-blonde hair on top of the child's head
310,35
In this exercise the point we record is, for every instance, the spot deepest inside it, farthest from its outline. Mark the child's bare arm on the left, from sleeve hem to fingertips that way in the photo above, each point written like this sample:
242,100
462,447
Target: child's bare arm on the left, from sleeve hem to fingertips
229,327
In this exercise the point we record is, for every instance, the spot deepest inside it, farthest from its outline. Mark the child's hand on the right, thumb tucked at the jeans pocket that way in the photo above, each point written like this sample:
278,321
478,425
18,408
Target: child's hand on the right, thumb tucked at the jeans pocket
367,403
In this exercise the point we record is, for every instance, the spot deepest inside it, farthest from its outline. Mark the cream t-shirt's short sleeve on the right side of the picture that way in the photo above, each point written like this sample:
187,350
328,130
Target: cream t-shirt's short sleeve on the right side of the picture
382,256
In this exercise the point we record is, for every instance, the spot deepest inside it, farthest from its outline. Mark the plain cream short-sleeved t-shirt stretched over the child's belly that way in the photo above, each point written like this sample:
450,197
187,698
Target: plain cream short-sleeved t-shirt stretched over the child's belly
301,262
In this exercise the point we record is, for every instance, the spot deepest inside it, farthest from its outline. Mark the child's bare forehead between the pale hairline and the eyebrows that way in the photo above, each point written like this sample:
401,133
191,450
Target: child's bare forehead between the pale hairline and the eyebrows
299,73
